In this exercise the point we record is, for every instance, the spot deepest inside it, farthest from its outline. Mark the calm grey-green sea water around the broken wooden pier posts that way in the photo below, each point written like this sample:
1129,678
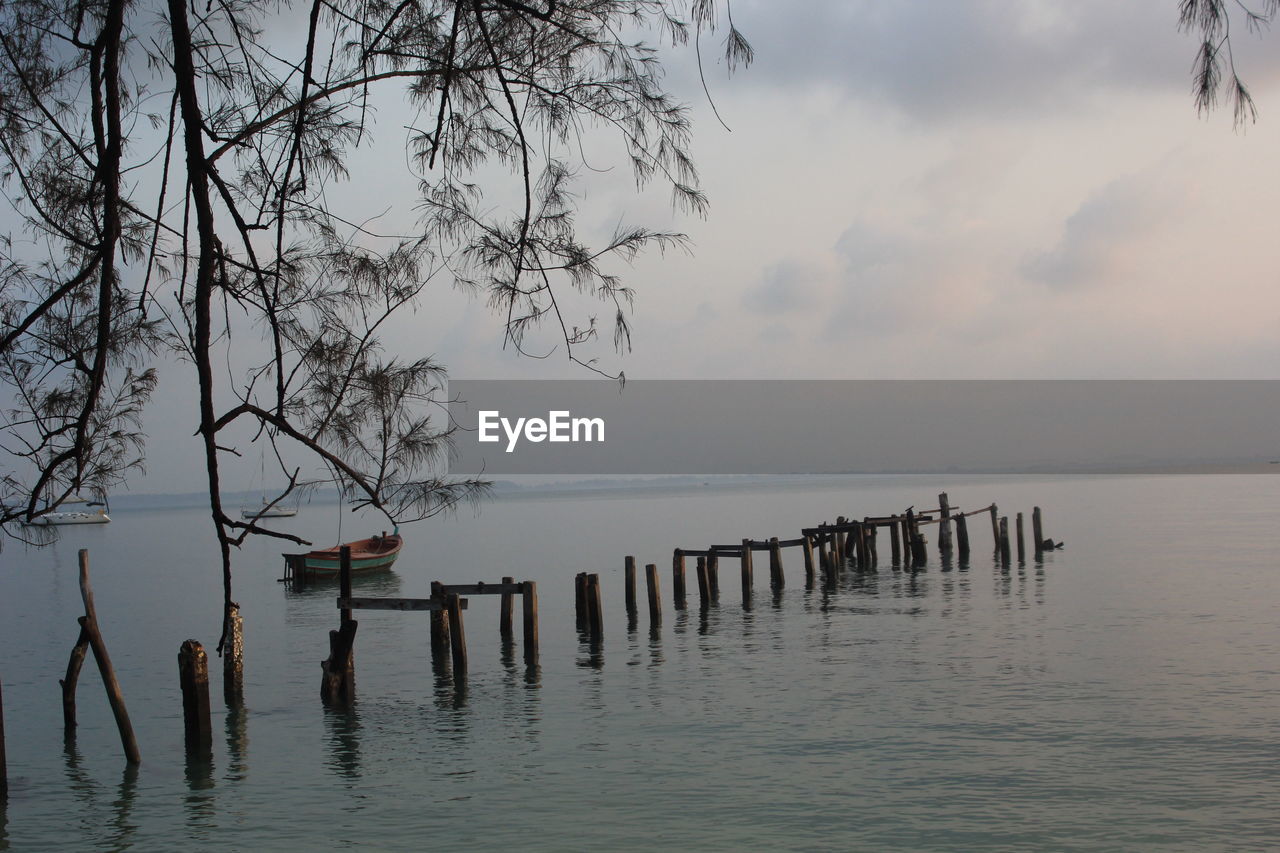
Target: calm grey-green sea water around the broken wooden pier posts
1121,696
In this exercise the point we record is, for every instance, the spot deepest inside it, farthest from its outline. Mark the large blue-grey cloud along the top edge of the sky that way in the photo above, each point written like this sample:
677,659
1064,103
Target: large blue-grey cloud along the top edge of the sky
979,60
